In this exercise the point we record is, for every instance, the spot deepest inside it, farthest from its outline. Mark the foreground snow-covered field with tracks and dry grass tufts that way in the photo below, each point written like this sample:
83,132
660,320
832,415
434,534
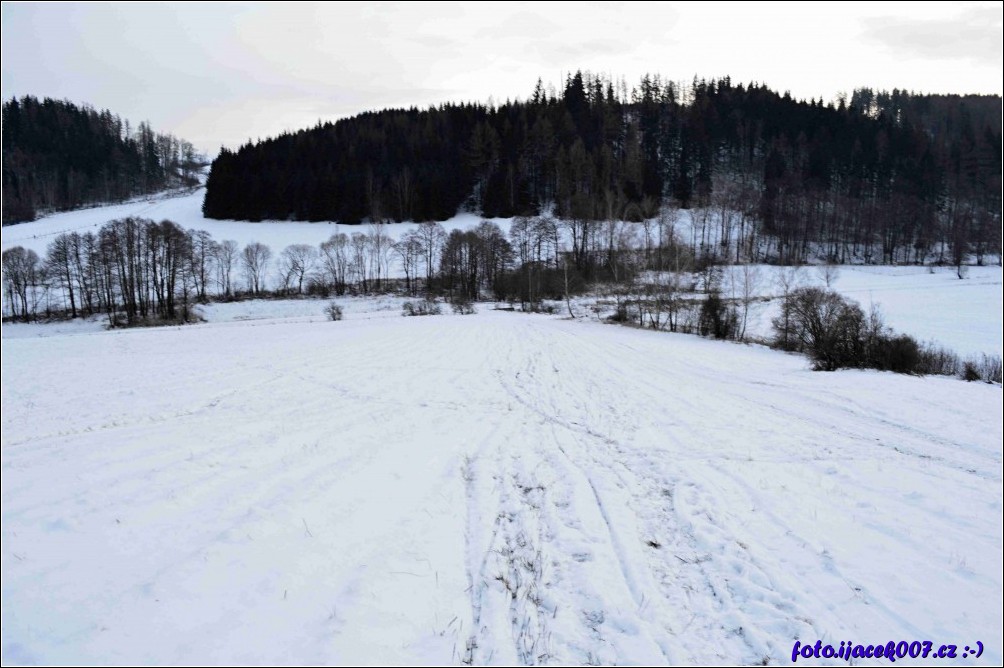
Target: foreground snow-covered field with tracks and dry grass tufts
497,489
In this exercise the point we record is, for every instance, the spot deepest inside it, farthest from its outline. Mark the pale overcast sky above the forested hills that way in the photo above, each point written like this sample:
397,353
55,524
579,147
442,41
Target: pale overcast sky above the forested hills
222,74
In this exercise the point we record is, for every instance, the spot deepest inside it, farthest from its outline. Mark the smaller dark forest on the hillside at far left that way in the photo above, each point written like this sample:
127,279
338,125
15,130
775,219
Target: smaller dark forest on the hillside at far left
59,156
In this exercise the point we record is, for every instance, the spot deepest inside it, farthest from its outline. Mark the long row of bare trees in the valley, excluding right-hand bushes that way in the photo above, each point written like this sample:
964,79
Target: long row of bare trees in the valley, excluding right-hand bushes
136,271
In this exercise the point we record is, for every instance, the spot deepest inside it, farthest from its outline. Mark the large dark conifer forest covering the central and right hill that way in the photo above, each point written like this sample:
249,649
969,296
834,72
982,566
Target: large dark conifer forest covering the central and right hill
881,177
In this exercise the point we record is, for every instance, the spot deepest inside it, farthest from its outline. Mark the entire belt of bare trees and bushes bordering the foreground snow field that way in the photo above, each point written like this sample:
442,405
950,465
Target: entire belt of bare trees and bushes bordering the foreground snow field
139,272
